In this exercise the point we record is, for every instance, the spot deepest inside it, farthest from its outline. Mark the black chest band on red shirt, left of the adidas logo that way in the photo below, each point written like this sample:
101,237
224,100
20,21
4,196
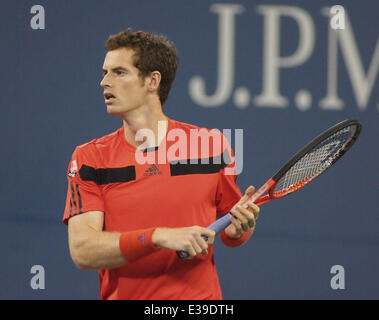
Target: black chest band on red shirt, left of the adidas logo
109,175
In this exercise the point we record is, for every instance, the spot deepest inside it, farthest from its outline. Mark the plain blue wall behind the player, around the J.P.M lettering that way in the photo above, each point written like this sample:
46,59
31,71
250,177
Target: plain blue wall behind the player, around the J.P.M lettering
51,101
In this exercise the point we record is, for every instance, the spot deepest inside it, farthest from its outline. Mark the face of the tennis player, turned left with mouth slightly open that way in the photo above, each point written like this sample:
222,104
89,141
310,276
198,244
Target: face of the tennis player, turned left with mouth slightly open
124,90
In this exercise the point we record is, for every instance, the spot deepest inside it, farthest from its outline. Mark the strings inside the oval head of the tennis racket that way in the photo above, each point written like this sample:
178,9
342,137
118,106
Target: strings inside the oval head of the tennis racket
313,163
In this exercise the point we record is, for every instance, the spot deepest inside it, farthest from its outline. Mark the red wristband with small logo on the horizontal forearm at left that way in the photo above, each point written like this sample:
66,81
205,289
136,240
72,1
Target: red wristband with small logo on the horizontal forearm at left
136,244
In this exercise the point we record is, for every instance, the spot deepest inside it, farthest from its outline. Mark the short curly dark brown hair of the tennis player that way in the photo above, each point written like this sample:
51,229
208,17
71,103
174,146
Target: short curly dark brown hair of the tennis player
152,53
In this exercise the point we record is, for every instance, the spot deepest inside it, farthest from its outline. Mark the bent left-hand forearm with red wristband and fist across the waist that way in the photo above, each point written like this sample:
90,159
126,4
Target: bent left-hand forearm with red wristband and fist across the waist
92,249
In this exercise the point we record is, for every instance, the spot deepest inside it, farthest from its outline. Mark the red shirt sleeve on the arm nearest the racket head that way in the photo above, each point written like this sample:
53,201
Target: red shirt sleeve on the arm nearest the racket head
228,192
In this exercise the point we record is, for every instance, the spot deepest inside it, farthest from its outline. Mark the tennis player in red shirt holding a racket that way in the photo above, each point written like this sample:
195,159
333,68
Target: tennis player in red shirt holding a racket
127,218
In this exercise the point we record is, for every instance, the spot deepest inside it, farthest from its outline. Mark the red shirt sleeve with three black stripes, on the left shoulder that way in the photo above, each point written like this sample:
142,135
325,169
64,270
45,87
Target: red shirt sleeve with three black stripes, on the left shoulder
82,195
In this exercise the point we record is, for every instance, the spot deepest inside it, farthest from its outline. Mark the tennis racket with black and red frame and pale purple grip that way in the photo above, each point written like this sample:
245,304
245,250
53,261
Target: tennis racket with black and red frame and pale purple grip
315,158
